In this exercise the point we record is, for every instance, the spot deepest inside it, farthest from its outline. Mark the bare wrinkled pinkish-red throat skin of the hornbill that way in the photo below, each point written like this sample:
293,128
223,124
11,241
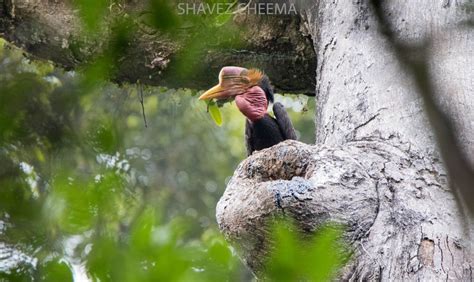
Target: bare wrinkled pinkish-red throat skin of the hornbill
252,103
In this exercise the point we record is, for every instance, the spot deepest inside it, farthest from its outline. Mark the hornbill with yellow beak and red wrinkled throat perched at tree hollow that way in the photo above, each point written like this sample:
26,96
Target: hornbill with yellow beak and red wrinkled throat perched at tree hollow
252,91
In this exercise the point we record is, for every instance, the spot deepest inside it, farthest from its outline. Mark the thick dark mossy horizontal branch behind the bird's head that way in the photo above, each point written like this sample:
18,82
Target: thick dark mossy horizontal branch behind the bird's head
278,44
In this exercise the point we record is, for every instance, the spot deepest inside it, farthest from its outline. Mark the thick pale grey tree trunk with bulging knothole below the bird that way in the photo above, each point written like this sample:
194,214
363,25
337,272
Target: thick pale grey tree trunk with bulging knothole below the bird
375,166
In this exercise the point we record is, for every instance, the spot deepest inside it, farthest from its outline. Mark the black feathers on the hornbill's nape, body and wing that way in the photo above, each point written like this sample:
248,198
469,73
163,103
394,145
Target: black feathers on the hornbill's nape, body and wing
268,131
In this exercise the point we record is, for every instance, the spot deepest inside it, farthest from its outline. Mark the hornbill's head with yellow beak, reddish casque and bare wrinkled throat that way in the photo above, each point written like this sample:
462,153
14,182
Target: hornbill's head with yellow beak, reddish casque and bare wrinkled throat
250,88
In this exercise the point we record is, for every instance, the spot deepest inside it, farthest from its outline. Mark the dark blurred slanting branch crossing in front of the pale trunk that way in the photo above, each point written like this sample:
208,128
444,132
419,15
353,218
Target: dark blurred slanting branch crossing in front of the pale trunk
460,171
